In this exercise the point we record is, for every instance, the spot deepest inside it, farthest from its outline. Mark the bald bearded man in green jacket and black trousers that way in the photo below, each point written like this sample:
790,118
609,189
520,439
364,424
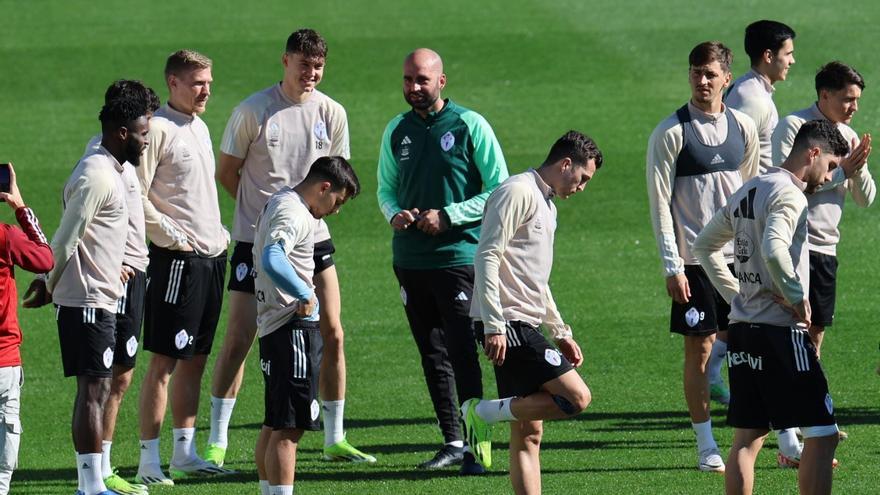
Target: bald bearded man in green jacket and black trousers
438,163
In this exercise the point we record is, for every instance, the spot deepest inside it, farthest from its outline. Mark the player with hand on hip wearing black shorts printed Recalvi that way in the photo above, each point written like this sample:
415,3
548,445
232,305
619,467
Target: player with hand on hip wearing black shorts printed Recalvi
775,375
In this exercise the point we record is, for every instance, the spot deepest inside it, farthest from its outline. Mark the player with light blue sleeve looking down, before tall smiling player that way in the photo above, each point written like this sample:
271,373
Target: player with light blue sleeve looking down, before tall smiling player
287,312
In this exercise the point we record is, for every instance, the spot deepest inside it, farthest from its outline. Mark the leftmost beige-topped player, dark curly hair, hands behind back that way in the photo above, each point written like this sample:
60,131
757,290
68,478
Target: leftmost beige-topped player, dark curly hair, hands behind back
85,284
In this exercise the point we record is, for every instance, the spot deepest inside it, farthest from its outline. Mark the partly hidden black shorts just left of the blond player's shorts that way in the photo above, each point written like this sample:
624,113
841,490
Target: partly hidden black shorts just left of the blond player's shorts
129,317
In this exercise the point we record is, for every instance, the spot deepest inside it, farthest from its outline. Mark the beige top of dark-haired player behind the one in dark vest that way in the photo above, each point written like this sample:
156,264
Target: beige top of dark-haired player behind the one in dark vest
752,94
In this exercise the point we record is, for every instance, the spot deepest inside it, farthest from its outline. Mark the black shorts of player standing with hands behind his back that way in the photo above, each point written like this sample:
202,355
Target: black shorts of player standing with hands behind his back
87,340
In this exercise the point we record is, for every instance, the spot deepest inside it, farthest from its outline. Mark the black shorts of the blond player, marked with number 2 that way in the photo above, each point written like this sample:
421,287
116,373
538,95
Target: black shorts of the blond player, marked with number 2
184,298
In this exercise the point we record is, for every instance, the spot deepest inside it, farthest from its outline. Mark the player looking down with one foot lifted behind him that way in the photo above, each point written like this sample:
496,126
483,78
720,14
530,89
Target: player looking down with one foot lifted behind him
512,270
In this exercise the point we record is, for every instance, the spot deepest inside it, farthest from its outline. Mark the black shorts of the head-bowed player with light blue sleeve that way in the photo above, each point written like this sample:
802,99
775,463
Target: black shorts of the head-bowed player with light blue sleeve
290,358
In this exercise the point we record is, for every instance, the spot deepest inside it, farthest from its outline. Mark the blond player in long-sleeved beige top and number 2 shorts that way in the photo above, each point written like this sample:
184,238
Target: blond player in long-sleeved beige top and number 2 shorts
187,266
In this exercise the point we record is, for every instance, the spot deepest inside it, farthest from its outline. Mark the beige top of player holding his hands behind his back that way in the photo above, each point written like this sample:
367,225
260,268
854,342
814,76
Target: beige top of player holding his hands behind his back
89,244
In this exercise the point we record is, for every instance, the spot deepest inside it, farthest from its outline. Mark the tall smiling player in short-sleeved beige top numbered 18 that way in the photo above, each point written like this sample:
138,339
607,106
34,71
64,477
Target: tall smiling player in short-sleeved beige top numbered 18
270,141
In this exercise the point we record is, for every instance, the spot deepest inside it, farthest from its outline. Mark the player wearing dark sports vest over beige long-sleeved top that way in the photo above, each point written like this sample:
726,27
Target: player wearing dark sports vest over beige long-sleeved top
696,158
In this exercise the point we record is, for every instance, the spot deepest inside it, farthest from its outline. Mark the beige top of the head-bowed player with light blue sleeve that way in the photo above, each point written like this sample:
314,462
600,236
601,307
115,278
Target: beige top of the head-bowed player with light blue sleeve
286,218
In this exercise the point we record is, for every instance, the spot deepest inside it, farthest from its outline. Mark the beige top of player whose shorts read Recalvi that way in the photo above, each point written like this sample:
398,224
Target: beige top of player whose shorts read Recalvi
767,218
